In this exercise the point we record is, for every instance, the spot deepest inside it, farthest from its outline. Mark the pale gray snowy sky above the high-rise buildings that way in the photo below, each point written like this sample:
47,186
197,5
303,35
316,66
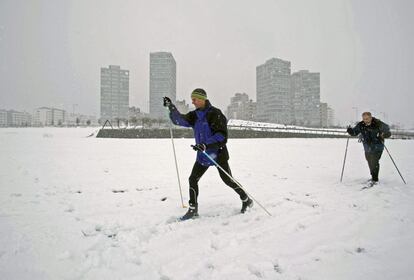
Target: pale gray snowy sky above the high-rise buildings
51,51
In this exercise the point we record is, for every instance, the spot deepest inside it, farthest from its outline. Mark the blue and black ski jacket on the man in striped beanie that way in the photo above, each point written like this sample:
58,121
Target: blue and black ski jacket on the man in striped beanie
210,128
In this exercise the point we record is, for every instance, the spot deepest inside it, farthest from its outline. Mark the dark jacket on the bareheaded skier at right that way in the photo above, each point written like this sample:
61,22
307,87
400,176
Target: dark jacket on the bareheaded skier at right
370,135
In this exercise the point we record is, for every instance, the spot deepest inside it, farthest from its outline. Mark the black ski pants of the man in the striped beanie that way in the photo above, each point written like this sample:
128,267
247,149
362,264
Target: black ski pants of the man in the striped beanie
199,170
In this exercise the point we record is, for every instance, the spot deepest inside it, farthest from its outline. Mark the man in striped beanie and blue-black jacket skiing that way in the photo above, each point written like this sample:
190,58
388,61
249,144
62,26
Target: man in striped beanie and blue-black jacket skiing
210,133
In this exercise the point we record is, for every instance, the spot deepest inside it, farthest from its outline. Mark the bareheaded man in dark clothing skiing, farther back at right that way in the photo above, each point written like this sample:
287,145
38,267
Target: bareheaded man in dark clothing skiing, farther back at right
372,133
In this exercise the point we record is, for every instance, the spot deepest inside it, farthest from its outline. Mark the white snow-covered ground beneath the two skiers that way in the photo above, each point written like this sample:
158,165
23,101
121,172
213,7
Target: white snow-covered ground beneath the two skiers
74,207
